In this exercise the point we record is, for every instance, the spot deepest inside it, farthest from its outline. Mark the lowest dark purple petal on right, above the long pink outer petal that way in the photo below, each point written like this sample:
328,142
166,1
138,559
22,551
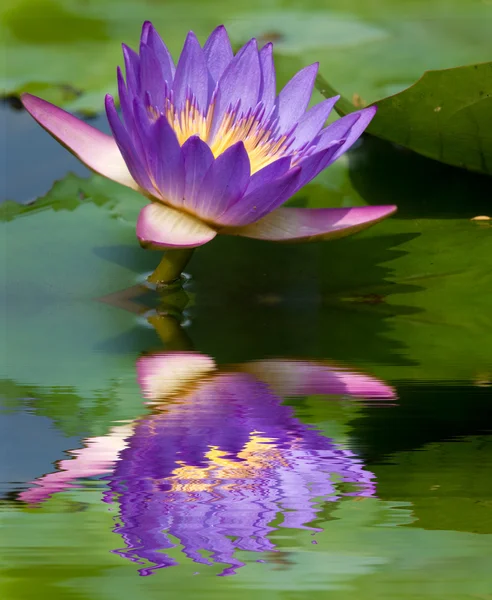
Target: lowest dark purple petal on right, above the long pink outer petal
261,201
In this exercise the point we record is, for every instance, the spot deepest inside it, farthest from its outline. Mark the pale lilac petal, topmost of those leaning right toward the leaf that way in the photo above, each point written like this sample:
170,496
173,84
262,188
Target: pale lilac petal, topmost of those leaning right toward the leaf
294,98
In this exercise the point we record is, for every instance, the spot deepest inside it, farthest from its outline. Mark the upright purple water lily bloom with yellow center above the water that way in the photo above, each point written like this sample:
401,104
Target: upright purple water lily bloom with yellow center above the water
213,146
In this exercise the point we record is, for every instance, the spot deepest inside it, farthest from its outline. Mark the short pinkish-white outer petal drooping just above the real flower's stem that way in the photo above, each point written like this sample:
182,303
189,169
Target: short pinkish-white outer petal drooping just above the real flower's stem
160,227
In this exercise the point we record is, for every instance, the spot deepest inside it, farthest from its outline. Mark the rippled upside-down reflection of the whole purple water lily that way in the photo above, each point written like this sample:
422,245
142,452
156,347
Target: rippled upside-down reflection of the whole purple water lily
220,459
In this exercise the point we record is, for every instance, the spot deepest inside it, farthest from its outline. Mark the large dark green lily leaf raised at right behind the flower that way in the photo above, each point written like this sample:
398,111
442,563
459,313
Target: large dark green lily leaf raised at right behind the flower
446,115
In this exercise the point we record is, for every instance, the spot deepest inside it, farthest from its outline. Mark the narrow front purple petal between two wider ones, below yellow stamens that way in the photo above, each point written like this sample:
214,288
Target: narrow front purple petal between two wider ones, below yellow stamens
198,158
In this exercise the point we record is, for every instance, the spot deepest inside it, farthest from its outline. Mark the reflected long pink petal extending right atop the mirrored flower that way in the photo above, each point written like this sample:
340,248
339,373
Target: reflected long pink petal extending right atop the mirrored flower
303,378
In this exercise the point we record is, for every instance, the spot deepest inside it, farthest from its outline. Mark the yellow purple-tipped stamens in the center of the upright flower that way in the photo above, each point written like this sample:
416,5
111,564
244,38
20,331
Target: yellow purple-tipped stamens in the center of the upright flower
260,140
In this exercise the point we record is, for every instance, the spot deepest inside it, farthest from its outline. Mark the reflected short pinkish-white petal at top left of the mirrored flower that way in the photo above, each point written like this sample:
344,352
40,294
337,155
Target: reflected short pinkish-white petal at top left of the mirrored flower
164,374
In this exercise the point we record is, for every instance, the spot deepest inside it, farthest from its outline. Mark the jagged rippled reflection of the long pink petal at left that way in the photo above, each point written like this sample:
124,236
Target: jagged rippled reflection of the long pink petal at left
97,458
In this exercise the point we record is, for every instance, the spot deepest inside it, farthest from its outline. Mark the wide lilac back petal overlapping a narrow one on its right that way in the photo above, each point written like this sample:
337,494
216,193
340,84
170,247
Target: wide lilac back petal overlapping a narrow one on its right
240,81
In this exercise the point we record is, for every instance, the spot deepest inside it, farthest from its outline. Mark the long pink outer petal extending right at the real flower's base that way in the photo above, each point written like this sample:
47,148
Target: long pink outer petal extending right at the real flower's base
308,224
